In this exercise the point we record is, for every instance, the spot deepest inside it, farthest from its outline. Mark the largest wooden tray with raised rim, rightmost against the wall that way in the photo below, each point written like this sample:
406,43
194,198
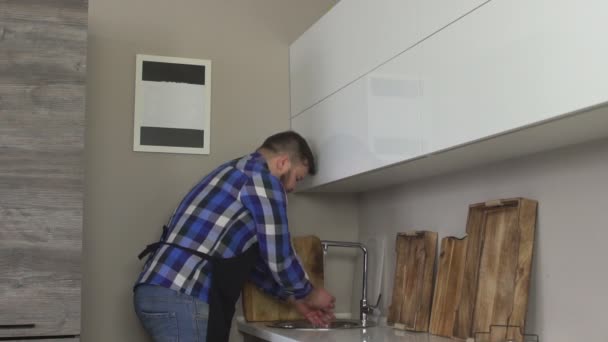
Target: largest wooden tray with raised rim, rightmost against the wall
497,266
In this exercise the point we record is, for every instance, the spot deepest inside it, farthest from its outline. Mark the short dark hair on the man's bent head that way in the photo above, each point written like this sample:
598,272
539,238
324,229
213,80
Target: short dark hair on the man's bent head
293,144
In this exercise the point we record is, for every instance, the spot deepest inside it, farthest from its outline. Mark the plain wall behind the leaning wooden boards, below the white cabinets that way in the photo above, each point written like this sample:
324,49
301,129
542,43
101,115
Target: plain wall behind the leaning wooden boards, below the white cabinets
568,297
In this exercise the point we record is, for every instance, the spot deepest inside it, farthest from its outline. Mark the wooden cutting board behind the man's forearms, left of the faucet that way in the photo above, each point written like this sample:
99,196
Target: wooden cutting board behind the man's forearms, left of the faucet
260,307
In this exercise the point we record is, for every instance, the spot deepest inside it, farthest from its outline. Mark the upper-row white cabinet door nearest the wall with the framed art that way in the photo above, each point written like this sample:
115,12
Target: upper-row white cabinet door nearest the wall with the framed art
353,38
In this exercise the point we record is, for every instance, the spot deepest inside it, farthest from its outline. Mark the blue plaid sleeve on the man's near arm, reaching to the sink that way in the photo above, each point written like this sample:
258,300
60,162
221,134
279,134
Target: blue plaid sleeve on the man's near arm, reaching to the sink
264,197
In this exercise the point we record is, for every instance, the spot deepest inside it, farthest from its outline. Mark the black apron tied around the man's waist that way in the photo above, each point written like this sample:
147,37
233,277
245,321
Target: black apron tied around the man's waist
228,277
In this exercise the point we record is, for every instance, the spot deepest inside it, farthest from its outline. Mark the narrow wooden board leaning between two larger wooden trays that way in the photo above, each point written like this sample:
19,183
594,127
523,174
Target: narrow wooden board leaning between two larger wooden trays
448,285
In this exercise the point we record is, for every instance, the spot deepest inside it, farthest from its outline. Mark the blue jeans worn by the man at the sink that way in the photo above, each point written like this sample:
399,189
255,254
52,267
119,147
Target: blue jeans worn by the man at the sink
171,316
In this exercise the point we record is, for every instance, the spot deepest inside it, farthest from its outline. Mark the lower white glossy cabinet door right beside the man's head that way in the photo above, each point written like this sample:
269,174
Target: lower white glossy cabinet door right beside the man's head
373,122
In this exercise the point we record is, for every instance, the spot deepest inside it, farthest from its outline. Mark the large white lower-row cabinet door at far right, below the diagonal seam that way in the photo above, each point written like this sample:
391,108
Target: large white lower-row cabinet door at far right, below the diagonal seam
514,63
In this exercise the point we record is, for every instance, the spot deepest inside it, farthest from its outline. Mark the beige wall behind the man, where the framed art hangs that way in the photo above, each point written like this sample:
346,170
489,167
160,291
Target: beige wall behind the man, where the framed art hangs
130,195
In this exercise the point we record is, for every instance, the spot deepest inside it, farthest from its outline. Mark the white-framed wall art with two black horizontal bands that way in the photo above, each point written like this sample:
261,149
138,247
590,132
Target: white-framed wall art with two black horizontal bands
172,105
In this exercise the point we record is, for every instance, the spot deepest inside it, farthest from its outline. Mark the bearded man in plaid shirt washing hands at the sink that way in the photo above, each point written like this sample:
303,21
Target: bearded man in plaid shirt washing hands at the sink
230,227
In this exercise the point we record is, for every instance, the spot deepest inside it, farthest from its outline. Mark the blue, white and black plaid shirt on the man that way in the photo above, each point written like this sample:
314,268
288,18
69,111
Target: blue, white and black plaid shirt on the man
235,206
